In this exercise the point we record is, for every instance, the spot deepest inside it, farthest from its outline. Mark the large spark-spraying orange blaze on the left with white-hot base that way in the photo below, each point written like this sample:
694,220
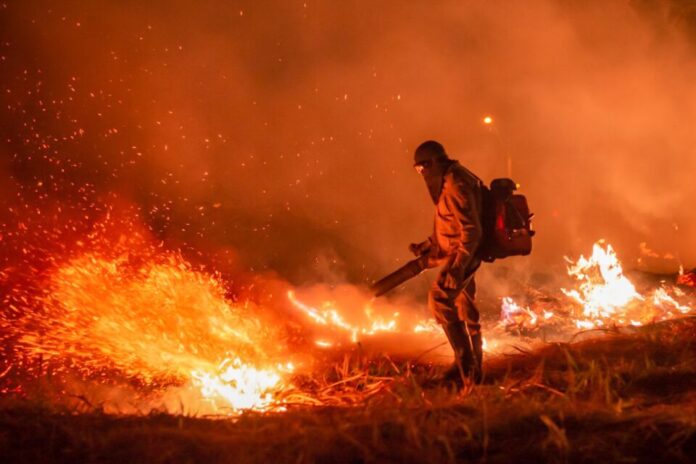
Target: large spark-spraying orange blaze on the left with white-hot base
158,323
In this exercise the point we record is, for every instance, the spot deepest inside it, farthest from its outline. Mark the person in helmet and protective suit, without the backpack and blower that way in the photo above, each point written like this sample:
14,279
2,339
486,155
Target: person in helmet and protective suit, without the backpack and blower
456,193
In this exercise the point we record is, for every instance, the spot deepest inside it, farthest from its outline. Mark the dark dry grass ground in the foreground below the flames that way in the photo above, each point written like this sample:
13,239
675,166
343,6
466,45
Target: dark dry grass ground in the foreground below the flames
620,397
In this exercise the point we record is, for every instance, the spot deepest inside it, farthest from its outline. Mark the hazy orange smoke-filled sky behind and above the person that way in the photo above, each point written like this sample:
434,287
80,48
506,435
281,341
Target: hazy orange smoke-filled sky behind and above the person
282,132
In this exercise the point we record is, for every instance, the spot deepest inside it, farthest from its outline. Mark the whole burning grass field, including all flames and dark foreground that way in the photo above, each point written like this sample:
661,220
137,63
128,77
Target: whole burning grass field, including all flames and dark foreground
130,353
